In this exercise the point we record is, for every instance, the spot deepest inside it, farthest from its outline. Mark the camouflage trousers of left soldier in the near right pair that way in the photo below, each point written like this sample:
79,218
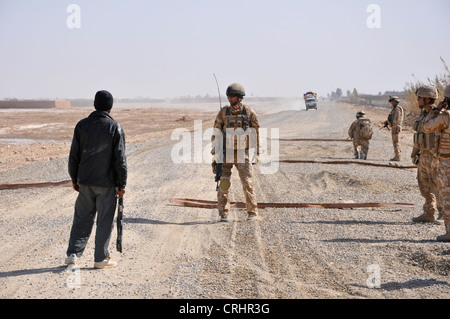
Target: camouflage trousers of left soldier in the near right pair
427,186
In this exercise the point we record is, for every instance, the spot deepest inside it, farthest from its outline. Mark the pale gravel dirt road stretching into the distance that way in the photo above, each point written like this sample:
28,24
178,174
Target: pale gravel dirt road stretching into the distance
178,252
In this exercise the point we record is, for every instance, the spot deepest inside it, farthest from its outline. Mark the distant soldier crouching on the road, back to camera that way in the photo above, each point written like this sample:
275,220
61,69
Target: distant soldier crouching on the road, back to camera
361,133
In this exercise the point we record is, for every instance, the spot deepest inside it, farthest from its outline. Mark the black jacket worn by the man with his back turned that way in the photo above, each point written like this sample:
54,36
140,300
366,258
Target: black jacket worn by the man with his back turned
97,155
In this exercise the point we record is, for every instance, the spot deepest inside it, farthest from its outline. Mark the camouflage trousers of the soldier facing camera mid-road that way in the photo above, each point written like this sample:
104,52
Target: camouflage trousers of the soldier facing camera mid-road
245,171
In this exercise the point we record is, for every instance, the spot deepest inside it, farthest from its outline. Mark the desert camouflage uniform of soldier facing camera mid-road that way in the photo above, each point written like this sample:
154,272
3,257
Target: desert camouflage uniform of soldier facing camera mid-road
230,118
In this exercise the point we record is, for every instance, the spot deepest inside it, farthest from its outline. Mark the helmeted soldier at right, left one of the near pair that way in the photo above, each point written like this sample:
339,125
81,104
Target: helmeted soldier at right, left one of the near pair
421,154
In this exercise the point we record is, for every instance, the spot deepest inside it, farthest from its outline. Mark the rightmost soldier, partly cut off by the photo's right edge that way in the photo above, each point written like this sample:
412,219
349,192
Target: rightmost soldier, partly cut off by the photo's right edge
441,159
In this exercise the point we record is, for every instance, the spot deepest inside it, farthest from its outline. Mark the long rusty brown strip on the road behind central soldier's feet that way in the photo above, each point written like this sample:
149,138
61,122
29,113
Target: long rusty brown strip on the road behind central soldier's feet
185,202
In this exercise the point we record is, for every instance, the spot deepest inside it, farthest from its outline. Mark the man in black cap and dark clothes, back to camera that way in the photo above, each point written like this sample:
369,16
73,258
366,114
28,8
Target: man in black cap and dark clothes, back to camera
98,169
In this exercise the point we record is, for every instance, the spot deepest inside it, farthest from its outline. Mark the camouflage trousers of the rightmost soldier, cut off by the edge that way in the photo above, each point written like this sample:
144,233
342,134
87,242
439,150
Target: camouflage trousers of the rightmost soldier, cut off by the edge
442,180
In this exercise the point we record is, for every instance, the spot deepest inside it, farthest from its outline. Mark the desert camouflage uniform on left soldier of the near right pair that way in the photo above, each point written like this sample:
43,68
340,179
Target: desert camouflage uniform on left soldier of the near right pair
423,145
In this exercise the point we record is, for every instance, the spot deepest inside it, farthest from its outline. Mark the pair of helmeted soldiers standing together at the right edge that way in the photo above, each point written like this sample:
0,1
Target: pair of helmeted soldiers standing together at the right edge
431,154
